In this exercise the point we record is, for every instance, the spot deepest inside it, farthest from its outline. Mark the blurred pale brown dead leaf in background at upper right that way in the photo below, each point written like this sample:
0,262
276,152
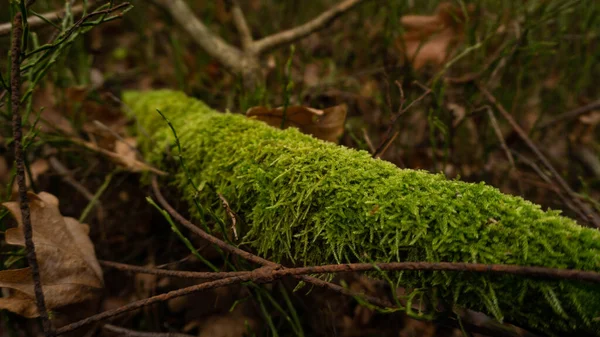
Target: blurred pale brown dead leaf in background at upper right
430,38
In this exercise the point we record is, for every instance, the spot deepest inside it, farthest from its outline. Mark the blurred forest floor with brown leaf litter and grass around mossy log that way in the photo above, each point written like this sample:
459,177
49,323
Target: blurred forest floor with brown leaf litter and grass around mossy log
502,92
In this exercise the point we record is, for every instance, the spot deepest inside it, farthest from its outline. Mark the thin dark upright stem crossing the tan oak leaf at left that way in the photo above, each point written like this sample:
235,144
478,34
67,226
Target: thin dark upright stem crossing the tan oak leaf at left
15,98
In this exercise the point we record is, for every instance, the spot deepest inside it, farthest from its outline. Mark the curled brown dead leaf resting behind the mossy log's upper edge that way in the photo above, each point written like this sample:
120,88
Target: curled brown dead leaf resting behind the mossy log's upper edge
327,124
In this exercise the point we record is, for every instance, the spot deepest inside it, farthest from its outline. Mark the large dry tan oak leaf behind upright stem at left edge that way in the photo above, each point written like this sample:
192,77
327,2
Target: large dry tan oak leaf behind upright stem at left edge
69,270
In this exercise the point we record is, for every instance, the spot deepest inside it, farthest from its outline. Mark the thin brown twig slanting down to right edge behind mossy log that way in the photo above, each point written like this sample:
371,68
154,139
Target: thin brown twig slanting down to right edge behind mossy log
590,215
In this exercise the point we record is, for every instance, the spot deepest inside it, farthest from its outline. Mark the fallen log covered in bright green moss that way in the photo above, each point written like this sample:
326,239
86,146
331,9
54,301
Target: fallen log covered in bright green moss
308,202
